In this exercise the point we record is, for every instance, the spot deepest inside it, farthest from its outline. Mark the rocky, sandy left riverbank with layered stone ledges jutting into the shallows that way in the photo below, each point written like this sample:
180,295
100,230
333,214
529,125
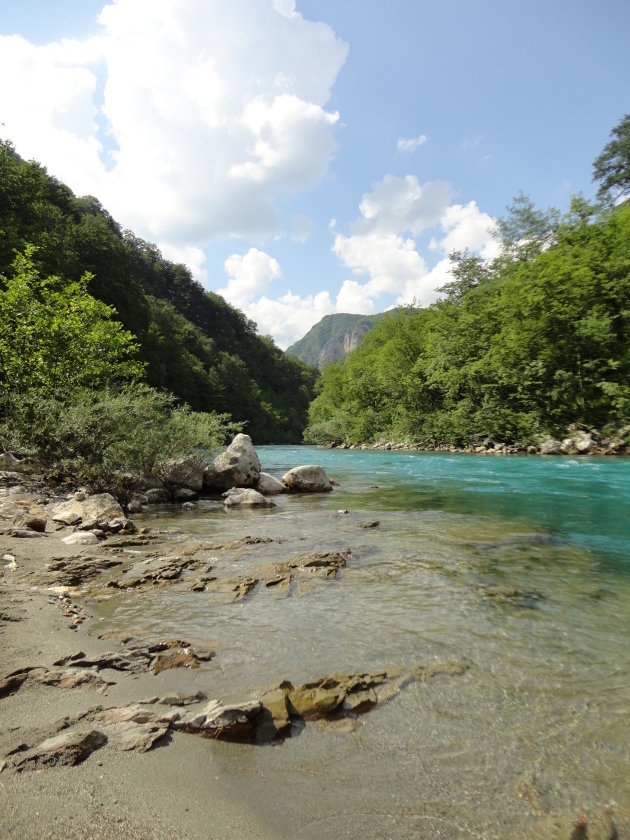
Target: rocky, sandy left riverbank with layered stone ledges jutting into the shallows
98,739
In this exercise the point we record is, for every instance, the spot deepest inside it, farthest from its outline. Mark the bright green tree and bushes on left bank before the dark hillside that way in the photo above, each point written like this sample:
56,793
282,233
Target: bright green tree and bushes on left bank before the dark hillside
69,389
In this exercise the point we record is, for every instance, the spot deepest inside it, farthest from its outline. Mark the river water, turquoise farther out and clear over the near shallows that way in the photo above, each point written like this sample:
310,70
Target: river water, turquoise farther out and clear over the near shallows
537,728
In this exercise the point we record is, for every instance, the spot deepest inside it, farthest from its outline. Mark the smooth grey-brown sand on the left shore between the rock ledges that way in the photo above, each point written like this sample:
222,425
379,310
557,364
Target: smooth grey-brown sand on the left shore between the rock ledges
163,793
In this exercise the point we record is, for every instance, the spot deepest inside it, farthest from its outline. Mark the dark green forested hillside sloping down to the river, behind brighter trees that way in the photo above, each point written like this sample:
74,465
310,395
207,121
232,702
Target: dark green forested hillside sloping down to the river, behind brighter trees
194,343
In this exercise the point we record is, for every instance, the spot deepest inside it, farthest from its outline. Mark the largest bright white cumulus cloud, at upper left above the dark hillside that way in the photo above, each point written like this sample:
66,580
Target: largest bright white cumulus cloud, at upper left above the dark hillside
211,111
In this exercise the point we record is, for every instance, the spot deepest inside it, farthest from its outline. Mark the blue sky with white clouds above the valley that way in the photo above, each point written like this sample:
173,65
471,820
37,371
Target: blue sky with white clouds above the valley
306,157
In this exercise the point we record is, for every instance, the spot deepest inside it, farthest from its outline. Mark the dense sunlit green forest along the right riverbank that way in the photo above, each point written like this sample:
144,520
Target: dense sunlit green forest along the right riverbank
525,345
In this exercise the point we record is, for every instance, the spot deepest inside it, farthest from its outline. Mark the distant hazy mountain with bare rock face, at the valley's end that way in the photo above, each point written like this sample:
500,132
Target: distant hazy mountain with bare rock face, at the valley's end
332,338
